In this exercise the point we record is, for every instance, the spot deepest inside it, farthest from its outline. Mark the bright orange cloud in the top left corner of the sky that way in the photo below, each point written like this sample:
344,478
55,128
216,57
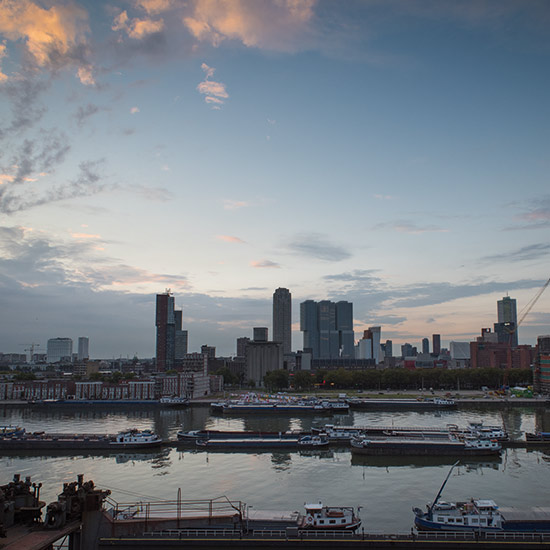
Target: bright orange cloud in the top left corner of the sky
53,37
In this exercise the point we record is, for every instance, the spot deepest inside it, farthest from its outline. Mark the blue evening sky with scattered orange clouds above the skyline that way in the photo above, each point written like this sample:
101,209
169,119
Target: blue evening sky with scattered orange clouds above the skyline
393,153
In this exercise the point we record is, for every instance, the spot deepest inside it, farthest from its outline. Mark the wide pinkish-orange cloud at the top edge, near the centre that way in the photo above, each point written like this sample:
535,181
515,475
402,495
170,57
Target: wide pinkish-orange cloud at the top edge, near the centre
277,26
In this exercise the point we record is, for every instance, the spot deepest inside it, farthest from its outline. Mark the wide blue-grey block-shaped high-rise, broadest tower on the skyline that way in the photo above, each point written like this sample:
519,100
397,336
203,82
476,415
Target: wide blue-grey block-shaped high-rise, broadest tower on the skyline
328,329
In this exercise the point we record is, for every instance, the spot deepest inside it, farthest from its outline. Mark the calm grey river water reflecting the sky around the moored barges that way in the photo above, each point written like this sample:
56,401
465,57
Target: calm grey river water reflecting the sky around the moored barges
385,487
